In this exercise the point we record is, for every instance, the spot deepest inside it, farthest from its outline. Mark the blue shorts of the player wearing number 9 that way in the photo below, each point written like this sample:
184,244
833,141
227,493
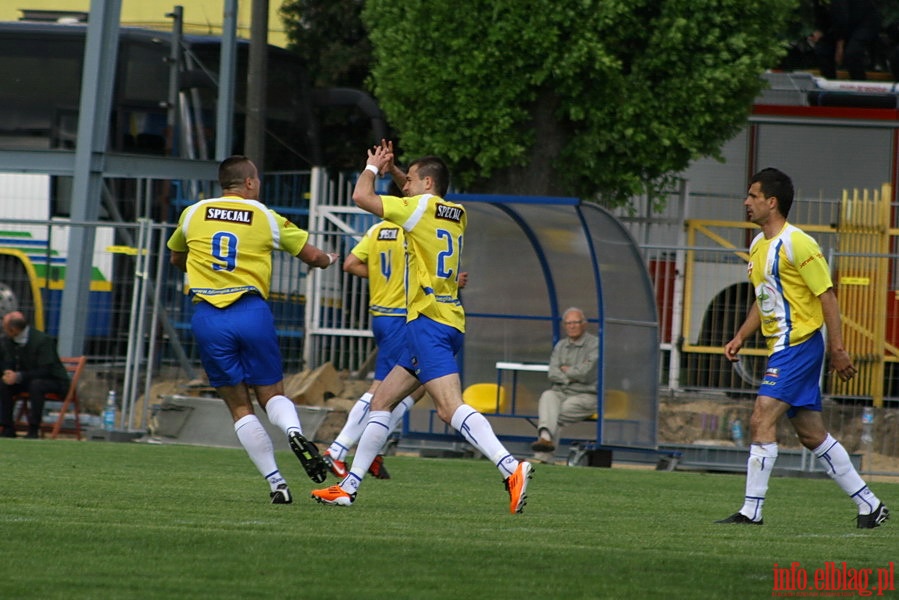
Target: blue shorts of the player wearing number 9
238,344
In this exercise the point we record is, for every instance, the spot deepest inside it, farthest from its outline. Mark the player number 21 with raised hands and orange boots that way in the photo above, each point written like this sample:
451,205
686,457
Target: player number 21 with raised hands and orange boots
435,323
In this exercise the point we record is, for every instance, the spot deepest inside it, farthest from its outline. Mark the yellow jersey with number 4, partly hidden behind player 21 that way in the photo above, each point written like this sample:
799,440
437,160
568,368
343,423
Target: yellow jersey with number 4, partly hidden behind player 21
382,249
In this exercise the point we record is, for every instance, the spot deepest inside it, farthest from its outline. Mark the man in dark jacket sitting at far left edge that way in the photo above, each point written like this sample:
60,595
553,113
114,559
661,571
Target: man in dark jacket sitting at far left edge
30,364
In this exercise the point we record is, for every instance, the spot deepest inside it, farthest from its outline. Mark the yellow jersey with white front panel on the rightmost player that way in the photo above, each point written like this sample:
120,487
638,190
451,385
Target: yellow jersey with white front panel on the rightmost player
788,273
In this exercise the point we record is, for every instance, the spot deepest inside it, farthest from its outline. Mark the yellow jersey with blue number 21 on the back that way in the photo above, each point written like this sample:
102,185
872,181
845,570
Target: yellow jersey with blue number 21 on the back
434,230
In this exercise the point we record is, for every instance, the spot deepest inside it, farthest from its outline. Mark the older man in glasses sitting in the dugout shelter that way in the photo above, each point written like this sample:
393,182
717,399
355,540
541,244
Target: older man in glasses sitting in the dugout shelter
573,374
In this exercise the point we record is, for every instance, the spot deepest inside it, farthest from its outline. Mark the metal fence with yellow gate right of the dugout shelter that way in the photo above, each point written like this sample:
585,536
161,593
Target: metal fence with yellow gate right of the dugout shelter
703,295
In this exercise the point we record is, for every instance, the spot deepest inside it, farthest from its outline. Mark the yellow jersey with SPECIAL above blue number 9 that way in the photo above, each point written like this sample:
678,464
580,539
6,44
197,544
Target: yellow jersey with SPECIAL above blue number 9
229,243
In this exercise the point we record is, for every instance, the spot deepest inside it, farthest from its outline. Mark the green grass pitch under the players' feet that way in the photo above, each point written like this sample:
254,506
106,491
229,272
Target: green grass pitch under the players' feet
127,520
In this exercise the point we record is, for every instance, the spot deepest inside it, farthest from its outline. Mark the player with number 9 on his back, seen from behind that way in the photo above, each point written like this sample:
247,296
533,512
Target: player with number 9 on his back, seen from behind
225,246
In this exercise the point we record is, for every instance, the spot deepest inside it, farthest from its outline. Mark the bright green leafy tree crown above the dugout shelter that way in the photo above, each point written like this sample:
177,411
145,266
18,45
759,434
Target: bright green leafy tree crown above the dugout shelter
600,99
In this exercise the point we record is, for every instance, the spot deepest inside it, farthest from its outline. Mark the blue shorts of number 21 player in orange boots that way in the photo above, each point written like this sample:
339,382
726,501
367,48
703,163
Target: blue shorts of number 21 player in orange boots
433,348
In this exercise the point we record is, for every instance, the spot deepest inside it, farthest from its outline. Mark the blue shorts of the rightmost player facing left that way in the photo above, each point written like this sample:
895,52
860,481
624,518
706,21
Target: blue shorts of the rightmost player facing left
793,375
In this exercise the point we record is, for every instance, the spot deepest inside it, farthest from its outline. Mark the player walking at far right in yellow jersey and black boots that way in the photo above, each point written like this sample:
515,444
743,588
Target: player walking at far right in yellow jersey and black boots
794,299
